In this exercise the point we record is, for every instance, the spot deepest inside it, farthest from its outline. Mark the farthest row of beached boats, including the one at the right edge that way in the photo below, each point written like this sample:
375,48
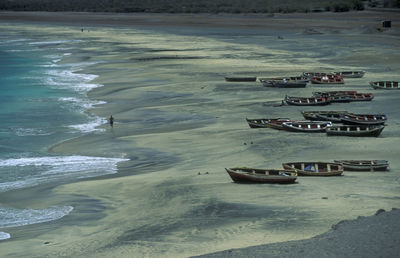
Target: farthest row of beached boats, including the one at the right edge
313,77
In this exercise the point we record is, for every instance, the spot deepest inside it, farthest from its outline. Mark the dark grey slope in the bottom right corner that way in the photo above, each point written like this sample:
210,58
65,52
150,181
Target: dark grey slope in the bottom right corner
361,237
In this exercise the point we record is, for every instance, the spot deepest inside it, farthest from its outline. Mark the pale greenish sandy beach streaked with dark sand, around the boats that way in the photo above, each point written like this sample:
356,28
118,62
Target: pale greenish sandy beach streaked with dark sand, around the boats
180,124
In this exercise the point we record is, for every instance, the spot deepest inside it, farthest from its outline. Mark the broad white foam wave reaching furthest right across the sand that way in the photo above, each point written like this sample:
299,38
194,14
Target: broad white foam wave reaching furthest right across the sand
51,169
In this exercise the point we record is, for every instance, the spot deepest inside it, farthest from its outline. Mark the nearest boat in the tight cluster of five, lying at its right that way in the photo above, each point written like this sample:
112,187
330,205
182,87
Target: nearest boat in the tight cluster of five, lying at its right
355,130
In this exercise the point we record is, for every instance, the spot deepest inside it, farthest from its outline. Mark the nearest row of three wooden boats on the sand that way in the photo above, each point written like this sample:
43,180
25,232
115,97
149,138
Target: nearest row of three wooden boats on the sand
291,170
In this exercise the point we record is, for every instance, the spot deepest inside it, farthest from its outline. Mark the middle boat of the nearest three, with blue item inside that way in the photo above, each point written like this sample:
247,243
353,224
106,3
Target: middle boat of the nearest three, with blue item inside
315,168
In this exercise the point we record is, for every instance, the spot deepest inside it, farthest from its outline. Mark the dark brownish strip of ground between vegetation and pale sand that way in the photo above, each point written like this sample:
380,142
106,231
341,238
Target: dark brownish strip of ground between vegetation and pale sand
285,21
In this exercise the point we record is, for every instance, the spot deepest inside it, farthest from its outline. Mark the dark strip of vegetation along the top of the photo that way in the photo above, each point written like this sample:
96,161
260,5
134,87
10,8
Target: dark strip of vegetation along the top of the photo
192,6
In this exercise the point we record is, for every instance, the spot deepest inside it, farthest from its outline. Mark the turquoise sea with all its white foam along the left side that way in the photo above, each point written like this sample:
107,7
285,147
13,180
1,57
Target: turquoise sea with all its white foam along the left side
42,103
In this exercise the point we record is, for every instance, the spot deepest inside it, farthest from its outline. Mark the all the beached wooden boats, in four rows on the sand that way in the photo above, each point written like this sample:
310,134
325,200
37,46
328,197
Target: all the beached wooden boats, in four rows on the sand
351,124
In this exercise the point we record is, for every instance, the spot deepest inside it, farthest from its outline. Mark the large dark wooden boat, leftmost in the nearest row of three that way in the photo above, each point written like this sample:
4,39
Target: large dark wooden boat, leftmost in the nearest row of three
269,176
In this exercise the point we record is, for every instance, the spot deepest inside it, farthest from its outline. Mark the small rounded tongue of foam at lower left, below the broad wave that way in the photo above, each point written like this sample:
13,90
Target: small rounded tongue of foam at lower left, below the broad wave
10,217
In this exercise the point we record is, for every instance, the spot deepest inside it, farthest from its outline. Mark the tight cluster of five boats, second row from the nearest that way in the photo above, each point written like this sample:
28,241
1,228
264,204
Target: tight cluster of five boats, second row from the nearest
355,125
